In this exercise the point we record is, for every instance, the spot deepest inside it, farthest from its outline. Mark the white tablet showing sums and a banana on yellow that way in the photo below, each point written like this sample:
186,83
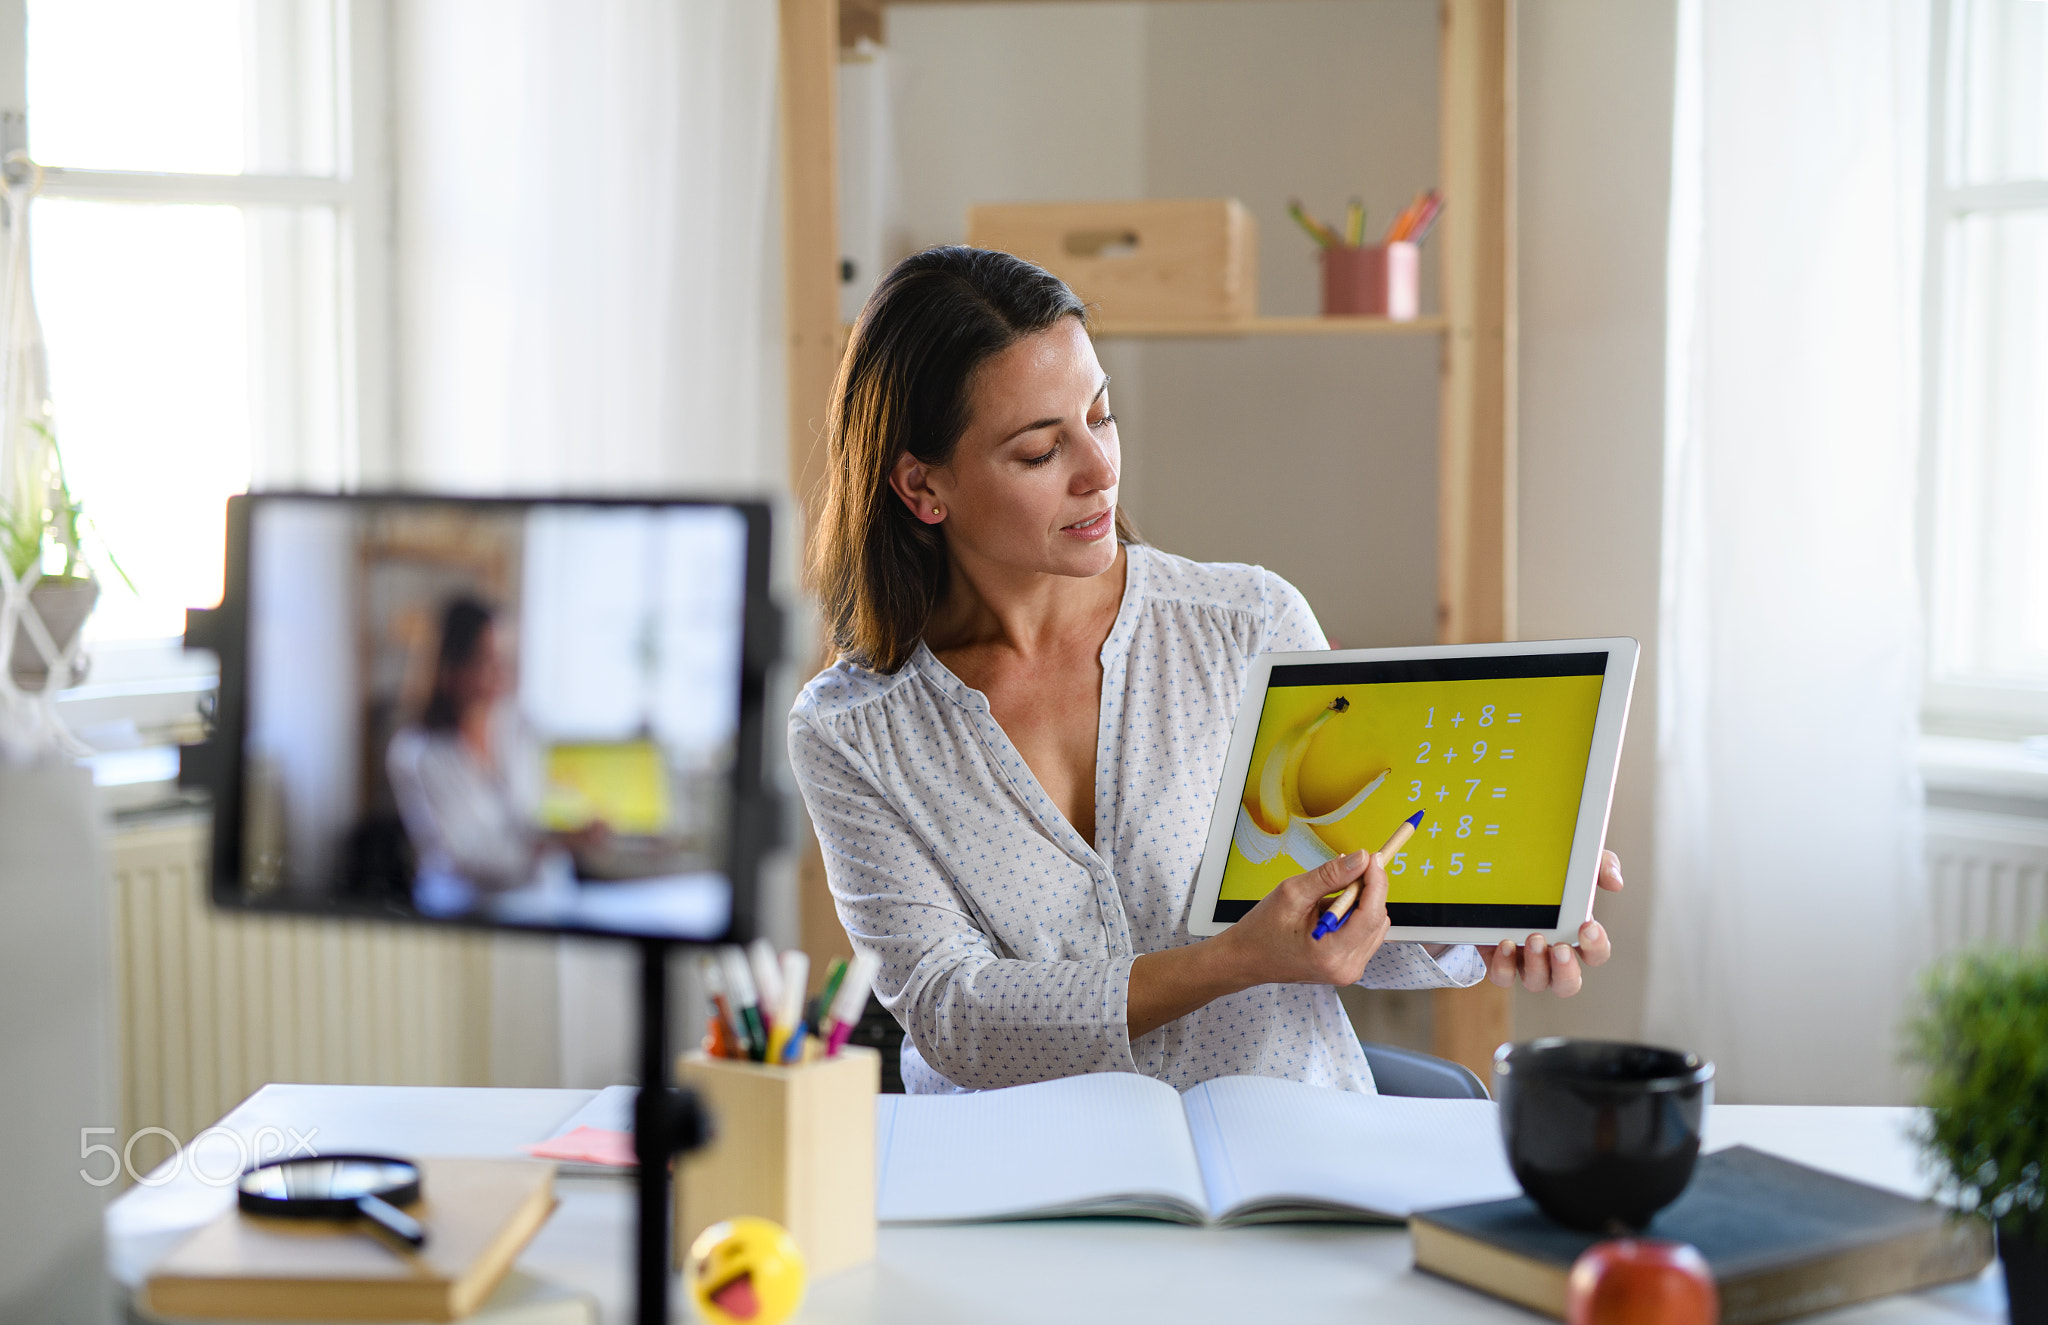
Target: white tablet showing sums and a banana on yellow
1510,753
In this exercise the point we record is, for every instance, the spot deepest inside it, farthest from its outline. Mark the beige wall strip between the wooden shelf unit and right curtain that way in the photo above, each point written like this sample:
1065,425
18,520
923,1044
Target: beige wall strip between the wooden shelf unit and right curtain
1594,191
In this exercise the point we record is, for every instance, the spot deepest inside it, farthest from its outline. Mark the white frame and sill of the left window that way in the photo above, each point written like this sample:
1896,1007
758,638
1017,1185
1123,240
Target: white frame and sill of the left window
151,679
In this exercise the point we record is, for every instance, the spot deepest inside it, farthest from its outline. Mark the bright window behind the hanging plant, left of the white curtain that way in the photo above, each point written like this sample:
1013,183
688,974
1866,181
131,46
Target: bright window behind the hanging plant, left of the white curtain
210,265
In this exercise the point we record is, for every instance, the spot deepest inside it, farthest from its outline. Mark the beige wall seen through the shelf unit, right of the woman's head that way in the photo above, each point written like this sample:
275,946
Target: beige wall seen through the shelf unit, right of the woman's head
1310,456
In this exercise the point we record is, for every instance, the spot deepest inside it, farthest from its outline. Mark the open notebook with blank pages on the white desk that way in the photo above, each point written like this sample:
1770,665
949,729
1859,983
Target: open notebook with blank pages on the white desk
1230,1152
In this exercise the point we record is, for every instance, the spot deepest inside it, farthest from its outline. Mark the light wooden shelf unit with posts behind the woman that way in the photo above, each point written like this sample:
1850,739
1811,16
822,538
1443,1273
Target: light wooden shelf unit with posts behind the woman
1478,413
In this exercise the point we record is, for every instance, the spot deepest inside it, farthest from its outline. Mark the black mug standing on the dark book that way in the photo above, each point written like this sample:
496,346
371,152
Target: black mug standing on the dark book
1601,1136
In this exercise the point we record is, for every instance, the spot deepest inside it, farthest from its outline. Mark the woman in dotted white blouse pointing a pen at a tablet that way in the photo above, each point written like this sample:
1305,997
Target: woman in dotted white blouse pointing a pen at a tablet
1015,761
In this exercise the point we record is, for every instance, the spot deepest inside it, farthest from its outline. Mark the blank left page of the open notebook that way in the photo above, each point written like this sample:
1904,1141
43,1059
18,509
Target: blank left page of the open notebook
1097,1144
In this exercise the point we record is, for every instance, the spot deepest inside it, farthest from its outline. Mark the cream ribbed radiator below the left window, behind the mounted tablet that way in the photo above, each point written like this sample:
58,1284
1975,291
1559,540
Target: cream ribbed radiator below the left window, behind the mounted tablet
214,1005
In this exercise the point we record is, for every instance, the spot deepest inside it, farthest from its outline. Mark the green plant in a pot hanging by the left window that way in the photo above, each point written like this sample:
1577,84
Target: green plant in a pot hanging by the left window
40,546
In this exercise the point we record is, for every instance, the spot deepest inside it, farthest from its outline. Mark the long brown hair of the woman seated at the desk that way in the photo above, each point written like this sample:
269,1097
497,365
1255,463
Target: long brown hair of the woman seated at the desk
904,386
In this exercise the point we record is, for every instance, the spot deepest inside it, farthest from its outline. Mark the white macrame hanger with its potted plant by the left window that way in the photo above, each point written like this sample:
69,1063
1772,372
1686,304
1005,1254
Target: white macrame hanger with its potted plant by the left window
46,587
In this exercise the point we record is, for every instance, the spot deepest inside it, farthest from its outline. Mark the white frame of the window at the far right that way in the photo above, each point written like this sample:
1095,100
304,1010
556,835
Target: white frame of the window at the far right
1957,703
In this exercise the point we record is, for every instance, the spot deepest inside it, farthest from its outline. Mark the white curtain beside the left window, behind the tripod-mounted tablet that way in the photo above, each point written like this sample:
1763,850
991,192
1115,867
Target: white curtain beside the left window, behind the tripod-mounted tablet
589,251
